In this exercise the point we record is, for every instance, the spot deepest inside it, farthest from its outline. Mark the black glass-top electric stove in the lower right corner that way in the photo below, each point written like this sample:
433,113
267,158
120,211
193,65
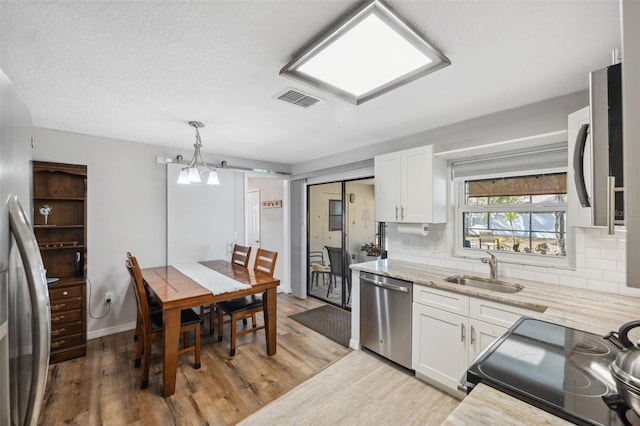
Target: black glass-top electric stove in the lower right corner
558,369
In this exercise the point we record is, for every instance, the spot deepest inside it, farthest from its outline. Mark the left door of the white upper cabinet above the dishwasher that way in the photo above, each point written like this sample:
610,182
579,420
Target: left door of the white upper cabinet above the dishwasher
387,187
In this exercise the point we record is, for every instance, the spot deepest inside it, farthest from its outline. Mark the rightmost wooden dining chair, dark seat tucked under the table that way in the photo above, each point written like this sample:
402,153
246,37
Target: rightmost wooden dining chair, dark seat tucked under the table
248,306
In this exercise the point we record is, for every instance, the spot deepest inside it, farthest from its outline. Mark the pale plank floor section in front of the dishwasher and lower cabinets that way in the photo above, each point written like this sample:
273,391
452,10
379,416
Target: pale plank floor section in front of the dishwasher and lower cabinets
360,389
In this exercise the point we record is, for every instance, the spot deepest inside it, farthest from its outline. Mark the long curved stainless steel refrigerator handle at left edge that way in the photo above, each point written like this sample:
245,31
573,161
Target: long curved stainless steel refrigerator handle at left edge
40,310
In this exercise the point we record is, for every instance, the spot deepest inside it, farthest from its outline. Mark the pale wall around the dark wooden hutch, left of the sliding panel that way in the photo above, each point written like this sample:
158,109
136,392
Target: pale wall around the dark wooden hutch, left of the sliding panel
126,212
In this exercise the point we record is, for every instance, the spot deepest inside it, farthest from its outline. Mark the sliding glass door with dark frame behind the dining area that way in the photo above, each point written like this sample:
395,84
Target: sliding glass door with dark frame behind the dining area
340,222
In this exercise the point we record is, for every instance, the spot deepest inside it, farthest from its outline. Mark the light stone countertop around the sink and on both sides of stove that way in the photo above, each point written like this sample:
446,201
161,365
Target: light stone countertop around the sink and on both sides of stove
587,310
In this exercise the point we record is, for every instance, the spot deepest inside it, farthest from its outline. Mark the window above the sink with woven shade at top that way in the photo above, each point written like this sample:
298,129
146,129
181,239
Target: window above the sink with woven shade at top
524,215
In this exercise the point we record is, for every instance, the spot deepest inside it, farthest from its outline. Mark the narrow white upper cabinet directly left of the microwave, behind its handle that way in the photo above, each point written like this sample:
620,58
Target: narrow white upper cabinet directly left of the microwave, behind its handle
577,214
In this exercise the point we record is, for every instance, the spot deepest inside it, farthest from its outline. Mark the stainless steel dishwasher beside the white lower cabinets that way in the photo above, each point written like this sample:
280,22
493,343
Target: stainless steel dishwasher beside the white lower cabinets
385,317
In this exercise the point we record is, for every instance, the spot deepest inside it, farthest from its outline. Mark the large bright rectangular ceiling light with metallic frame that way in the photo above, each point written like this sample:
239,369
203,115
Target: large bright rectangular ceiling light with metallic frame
369,53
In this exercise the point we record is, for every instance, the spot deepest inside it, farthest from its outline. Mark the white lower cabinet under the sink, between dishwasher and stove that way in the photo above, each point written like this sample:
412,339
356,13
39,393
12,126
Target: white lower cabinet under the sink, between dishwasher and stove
446,338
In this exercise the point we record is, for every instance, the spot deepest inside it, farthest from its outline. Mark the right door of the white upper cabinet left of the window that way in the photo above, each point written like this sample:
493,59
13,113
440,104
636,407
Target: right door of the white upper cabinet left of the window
416,183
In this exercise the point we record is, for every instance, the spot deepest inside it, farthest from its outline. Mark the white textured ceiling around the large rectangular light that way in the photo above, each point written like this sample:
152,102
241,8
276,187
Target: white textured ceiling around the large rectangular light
141,70
